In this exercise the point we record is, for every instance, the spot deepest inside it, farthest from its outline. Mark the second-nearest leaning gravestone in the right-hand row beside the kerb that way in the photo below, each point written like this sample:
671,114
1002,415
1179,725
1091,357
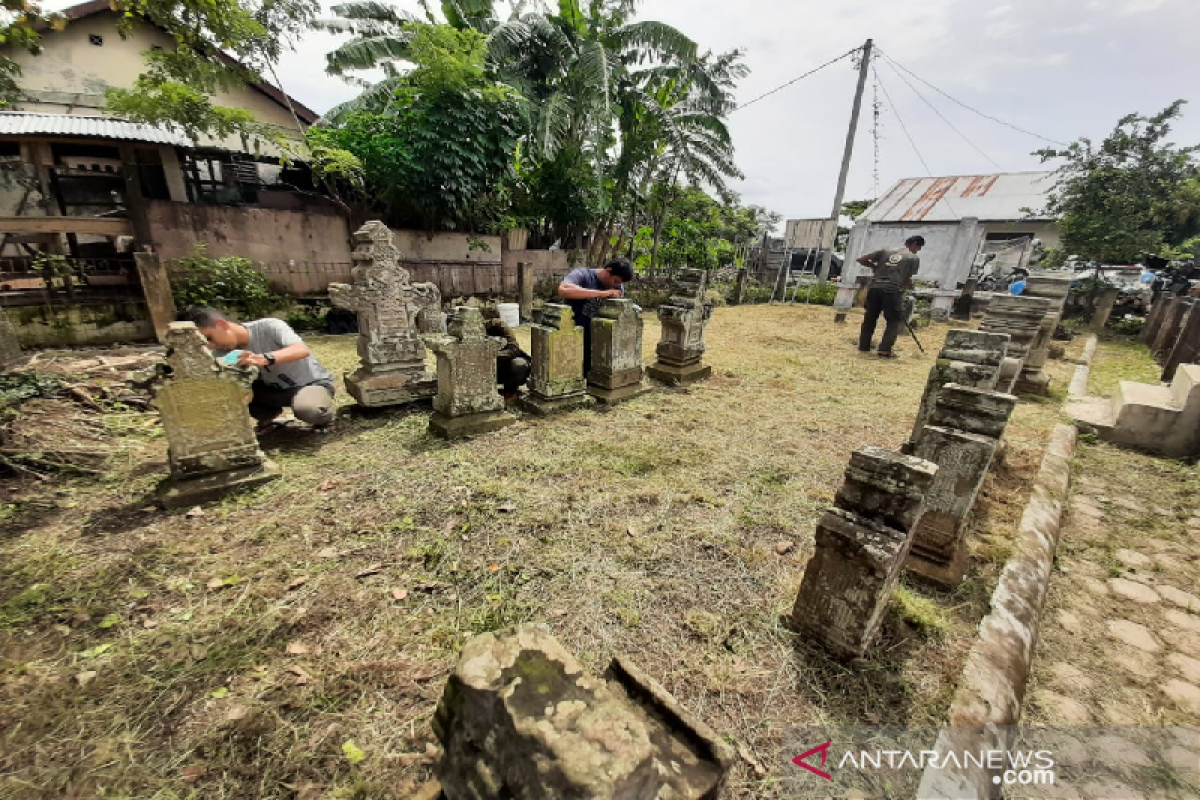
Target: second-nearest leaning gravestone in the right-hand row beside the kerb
963,440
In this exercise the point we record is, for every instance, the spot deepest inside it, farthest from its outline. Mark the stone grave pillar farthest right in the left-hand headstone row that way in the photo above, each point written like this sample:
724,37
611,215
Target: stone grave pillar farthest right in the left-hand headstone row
685,317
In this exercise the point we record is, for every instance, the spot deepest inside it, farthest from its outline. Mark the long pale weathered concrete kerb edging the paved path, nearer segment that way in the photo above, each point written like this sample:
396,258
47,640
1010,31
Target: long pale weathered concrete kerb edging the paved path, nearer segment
993,687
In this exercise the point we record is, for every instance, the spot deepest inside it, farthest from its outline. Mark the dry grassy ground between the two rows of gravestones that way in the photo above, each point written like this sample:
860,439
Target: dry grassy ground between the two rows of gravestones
293,642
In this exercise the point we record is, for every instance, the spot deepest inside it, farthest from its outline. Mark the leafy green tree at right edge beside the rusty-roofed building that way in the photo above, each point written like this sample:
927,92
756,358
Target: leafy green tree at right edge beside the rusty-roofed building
1135,194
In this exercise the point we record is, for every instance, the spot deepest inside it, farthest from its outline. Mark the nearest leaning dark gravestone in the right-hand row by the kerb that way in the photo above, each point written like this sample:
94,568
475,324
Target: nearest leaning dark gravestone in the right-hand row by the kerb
861,549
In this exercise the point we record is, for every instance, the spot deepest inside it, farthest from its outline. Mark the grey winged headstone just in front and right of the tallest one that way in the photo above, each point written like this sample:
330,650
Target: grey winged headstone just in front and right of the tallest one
467,402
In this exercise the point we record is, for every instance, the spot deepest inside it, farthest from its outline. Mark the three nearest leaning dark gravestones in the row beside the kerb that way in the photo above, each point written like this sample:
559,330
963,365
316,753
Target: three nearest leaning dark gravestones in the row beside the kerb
910,512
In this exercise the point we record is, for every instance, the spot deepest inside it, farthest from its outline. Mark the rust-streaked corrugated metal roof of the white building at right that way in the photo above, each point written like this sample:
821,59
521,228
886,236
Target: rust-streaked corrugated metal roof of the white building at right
991,199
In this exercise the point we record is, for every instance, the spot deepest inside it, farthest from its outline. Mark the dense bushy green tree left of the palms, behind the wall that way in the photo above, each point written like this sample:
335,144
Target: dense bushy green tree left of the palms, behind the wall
439,157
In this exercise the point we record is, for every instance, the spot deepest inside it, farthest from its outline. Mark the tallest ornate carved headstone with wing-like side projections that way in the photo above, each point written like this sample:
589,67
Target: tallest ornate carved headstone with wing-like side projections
393,366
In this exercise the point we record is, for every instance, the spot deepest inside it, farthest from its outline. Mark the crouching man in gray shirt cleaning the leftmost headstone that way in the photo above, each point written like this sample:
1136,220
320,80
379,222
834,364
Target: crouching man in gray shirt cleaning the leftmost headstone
289,375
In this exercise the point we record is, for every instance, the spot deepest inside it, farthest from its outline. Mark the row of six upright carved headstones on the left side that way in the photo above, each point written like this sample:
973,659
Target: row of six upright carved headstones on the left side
398,322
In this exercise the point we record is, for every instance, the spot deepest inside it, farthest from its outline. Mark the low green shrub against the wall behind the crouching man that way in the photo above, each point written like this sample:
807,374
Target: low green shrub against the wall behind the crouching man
230,284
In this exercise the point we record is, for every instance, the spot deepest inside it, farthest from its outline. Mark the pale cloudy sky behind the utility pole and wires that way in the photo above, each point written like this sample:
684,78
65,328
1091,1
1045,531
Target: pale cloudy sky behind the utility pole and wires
1060,69
